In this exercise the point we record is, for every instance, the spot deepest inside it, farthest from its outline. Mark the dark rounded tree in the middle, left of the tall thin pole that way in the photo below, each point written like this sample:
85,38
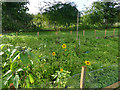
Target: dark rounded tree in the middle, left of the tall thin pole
61,13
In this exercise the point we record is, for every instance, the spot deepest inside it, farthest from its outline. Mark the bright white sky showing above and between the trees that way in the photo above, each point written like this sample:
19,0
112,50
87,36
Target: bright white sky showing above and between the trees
33,7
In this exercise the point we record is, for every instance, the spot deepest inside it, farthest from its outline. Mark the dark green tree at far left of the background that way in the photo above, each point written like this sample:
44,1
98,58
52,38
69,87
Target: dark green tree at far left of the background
14,16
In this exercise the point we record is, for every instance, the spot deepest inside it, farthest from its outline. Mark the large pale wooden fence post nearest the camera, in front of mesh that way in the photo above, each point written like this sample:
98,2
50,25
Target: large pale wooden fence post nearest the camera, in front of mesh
82,79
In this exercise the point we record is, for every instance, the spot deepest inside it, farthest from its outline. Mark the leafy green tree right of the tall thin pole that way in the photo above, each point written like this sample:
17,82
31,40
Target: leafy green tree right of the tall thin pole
102,13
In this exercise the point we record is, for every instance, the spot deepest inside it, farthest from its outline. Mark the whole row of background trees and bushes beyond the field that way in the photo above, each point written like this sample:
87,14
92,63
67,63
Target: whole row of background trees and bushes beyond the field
59,16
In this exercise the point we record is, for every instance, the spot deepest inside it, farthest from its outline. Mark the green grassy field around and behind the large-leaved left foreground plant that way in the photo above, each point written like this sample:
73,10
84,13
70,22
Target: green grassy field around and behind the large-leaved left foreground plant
101,53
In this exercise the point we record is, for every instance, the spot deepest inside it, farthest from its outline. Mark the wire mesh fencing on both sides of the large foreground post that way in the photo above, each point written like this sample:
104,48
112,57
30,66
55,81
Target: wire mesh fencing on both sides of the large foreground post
96,79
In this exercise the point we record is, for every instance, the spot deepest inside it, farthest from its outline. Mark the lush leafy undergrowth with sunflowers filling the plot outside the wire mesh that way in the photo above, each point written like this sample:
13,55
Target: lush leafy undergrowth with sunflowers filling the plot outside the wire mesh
30,62
